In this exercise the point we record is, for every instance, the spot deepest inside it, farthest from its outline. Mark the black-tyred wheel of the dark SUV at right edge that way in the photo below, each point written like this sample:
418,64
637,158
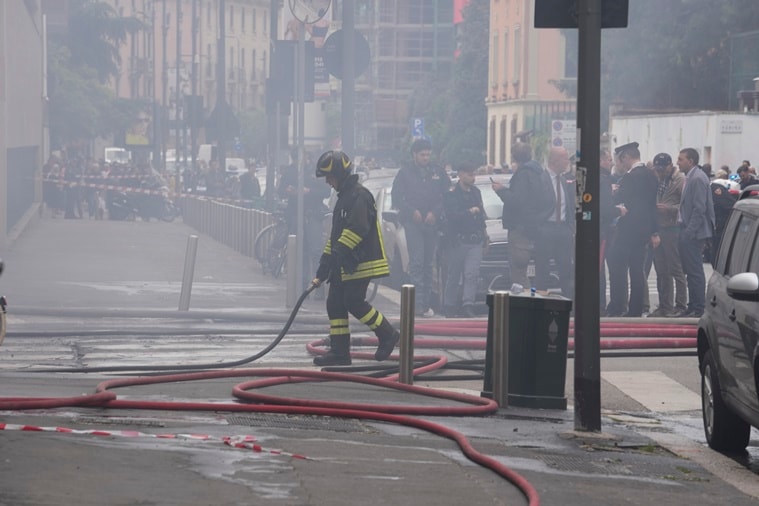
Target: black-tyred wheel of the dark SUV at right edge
724,430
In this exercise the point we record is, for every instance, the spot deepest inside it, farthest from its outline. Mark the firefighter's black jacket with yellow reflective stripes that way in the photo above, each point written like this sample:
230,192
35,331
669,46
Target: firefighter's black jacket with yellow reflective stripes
354,249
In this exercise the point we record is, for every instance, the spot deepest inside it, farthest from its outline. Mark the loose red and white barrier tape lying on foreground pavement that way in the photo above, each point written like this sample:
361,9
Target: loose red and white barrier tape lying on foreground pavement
241,442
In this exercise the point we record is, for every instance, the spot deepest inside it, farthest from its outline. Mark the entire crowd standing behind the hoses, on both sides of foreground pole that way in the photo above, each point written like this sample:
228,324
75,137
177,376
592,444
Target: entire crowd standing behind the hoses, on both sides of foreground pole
662,214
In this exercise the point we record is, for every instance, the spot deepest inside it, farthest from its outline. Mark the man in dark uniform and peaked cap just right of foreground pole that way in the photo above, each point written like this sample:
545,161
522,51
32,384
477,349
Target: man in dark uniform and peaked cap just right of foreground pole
637,227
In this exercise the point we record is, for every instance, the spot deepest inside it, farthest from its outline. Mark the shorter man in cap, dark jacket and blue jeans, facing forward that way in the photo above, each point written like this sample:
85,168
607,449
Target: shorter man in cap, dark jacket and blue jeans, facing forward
465,239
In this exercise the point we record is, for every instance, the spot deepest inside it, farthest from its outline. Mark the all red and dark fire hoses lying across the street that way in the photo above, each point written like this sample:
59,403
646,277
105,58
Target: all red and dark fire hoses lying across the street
400,414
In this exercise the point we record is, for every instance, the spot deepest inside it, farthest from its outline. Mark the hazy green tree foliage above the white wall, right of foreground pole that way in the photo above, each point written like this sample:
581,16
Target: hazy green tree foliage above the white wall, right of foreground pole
681,56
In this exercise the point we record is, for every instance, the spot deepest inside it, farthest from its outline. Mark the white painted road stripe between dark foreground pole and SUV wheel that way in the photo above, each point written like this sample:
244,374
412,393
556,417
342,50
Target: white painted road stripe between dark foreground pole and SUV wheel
654,390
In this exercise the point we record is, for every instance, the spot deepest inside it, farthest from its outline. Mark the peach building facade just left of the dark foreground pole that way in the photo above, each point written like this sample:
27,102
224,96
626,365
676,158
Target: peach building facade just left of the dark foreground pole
524,65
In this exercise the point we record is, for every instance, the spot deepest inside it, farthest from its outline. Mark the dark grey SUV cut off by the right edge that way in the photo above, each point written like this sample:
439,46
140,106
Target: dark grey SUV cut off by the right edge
728,334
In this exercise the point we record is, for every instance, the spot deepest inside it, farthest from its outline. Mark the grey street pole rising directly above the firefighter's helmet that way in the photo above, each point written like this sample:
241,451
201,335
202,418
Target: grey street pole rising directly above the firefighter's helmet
349,78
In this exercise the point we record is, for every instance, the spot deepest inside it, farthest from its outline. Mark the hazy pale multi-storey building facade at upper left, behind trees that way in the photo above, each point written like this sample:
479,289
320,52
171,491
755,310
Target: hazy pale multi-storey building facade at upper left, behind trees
173,62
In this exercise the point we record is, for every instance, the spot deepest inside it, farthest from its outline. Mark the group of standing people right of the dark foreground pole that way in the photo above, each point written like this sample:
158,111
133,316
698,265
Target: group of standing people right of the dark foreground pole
667,213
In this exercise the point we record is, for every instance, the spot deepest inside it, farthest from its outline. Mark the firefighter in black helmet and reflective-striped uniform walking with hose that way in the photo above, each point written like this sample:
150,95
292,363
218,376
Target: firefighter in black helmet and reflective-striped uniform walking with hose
354,254
